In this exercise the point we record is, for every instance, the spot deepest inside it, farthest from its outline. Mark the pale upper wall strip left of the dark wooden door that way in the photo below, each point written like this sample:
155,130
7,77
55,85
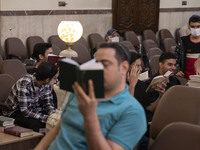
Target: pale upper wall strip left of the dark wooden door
53,4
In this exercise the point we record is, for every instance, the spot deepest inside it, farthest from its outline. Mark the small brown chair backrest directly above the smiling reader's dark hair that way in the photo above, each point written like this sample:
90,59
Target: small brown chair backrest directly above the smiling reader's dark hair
169,45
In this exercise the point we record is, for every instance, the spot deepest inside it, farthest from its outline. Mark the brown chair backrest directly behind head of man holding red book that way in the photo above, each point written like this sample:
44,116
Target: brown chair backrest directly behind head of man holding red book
31,41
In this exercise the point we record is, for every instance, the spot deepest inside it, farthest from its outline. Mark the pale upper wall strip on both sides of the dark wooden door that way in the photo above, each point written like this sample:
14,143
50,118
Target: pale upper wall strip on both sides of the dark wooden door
81,4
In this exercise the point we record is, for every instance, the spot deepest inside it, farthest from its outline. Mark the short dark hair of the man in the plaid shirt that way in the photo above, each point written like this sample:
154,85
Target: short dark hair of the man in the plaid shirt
45,70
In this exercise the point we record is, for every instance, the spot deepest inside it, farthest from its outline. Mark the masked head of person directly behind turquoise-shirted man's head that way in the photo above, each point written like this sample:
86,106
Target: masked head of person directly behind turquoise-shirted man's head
112,36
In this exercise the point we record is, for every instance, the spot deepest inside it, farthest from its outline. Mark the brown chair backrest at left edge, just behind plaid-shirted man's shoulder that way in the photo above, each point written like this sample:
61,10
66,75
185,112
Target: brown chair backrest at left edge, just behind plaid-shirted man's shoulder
13,67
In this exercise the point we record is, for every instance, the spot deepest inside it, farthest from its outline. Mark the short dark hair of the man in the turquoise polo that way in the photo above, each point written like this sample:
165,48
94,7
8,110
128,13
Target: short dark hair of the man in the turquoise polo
121,51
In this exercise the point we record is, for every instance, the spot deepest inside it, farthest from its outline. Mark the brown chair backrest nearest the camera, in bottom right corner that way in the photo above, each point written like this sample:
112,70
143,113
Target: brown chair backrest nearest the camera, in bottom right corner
178,136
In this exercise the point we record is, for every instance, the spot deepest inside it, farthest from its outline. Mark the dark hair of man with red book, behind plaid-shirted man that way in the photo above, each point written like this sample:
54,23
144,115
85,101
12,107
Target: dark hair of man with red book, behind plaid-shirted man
40,48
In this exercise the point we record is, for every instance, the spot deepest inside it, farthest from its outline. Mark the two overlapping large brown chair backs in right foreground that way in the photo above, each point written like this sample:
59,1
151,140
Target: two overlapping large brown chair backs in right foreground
179,105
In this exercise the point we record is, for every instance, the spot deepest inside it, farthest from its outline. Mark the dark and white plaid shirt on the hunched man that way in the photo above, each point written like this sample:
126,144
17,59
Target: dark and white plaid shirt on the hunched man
30,99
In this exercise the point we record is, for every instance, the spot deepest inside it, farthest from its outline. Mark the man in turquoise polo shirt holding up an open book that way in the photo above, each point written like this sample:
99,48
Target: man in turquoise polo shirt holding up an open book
115,122
